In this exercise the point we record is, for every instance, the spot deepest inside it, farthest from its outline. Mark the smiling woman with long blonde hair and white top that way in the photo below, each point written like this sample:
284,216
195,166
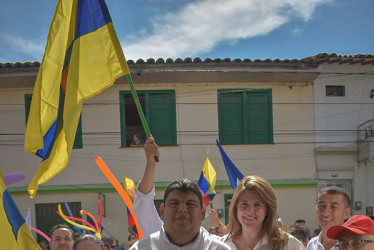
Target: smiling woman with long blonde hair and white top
252,218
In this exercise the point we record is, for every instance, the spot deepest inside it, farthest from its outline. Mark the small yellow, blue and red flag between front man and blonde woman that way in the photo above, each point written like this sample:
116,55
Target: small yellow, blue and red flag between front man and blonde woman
207,181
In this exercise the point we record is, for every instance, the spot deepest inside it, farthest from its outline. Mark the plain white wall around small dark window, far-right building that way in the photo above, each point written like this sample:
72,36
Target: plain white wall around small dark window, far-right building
342,116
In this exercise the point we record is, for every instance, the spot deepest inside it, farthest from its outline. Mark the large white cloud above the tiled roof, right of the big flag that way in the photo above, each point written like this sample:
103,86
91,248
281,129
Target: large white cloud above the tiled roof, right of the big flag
202,25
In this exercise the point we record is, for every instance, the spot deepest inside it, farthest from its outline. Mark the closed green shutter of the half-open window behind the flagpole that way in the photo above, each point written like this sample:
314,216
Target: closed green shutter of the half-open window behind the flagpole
161,117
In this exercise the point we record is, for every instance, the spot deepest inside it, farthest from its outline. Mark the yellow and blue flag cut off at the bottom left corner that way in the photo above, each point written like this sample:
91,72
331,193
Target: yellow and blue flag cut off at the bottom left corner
14,231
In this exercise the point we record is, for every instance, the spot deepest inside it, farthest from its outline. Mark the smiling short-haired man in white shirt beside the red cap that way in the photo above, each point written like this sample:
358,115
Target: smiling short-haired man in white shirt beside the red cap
332,208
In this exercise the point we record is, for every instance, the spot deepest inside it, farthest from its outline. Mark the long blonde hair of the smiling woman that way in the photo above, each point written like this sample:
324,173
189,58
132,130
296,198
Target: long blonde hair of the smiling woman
276,237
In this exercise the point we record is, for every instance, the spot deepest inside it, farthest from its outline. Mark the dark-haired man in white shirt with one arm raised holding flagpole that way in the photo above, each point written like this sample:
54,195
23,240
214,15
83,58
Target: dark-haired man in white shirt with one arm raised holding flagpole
182,212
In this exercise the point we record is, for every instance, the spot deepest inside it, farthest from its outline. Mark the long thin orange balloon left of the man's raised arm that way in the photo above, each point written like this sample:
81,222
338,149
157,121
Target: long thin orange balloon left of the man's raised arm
104,168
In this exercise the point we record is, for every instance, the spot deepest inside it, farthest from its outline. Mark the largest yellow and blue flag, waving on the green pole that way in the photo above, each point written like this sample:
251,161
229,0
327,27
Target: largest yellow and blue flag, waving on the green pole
83,56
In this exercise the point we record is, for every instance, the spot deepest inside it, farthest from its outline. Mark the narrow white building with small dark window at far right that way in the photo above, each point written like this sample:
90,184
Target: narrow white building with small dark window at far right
344,111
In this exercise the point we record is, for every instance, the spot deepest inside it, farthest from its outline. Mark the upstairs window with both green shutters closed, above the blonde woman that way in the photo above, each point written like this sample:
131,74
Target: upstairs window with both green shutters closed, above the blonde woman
245,116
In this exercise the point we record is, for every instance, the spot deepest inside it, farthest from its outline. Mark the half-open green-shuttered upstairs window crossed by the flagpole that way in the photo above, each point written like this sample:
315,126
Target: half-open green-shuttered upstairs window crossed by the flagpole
159,110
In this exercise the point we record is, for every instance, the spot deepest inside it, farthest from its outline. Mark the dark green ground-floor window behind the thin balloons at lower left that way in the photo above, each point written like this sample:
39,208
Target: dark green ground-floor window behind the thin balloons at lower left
46,216
